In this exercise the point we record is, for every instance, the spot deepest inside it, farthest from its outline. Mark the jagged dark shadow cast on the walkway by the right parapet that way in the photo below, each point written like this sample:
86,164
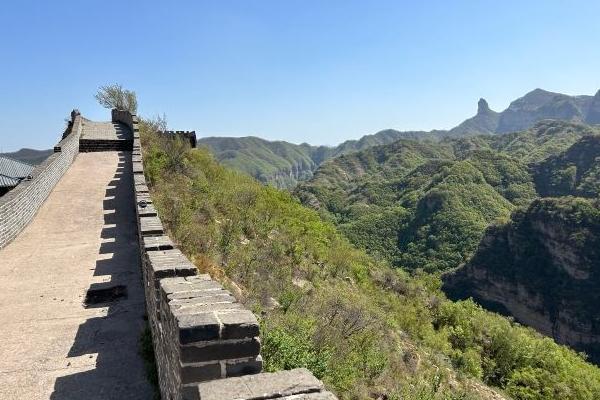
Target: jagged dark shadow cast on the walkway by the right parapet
113,339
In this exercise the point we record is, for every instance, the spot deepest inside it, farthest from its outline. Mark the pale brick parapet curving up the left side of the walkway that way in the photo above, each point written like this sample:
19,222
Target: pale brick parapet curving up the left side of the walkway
19,206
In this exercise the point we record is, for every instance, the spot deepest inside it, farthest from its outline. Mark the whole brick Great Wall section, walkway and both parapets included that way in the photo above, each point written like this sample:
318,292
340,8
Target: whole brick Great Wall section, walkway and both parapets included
85,259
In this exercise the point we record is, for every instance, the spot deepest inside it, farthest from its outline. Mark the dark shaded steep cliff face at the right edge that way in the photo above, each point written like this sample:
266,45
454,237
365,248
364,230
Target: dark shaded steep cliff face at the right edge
543,268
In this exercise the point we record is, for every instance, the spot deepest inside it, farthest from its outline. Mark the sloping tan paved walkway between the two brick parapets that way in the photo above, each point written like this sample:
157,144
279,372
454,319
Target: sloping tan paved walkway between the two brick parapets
54,345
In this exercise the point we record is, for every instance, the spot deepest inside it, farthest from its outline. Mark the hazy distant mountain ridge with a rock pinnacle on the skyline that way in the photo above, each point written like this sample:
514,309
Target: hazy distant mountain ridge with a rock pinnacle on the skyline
284,164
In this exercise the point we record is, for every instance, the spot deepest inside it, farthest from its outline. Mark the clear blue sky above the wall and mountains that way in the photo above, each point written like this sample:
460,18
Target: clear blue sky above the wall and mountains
314,71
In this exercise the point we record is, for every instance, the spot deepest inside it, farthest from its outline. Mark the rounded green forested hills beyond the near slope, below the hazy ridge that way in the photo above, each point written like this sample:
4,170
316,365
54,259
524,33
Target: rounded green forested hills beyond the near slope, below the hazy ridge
426,205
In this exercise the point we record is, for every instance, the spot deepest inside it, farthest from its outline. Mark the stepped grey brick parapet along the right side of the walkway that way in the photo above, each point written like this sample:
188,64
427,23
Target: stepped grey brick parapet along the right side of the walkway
203,337
